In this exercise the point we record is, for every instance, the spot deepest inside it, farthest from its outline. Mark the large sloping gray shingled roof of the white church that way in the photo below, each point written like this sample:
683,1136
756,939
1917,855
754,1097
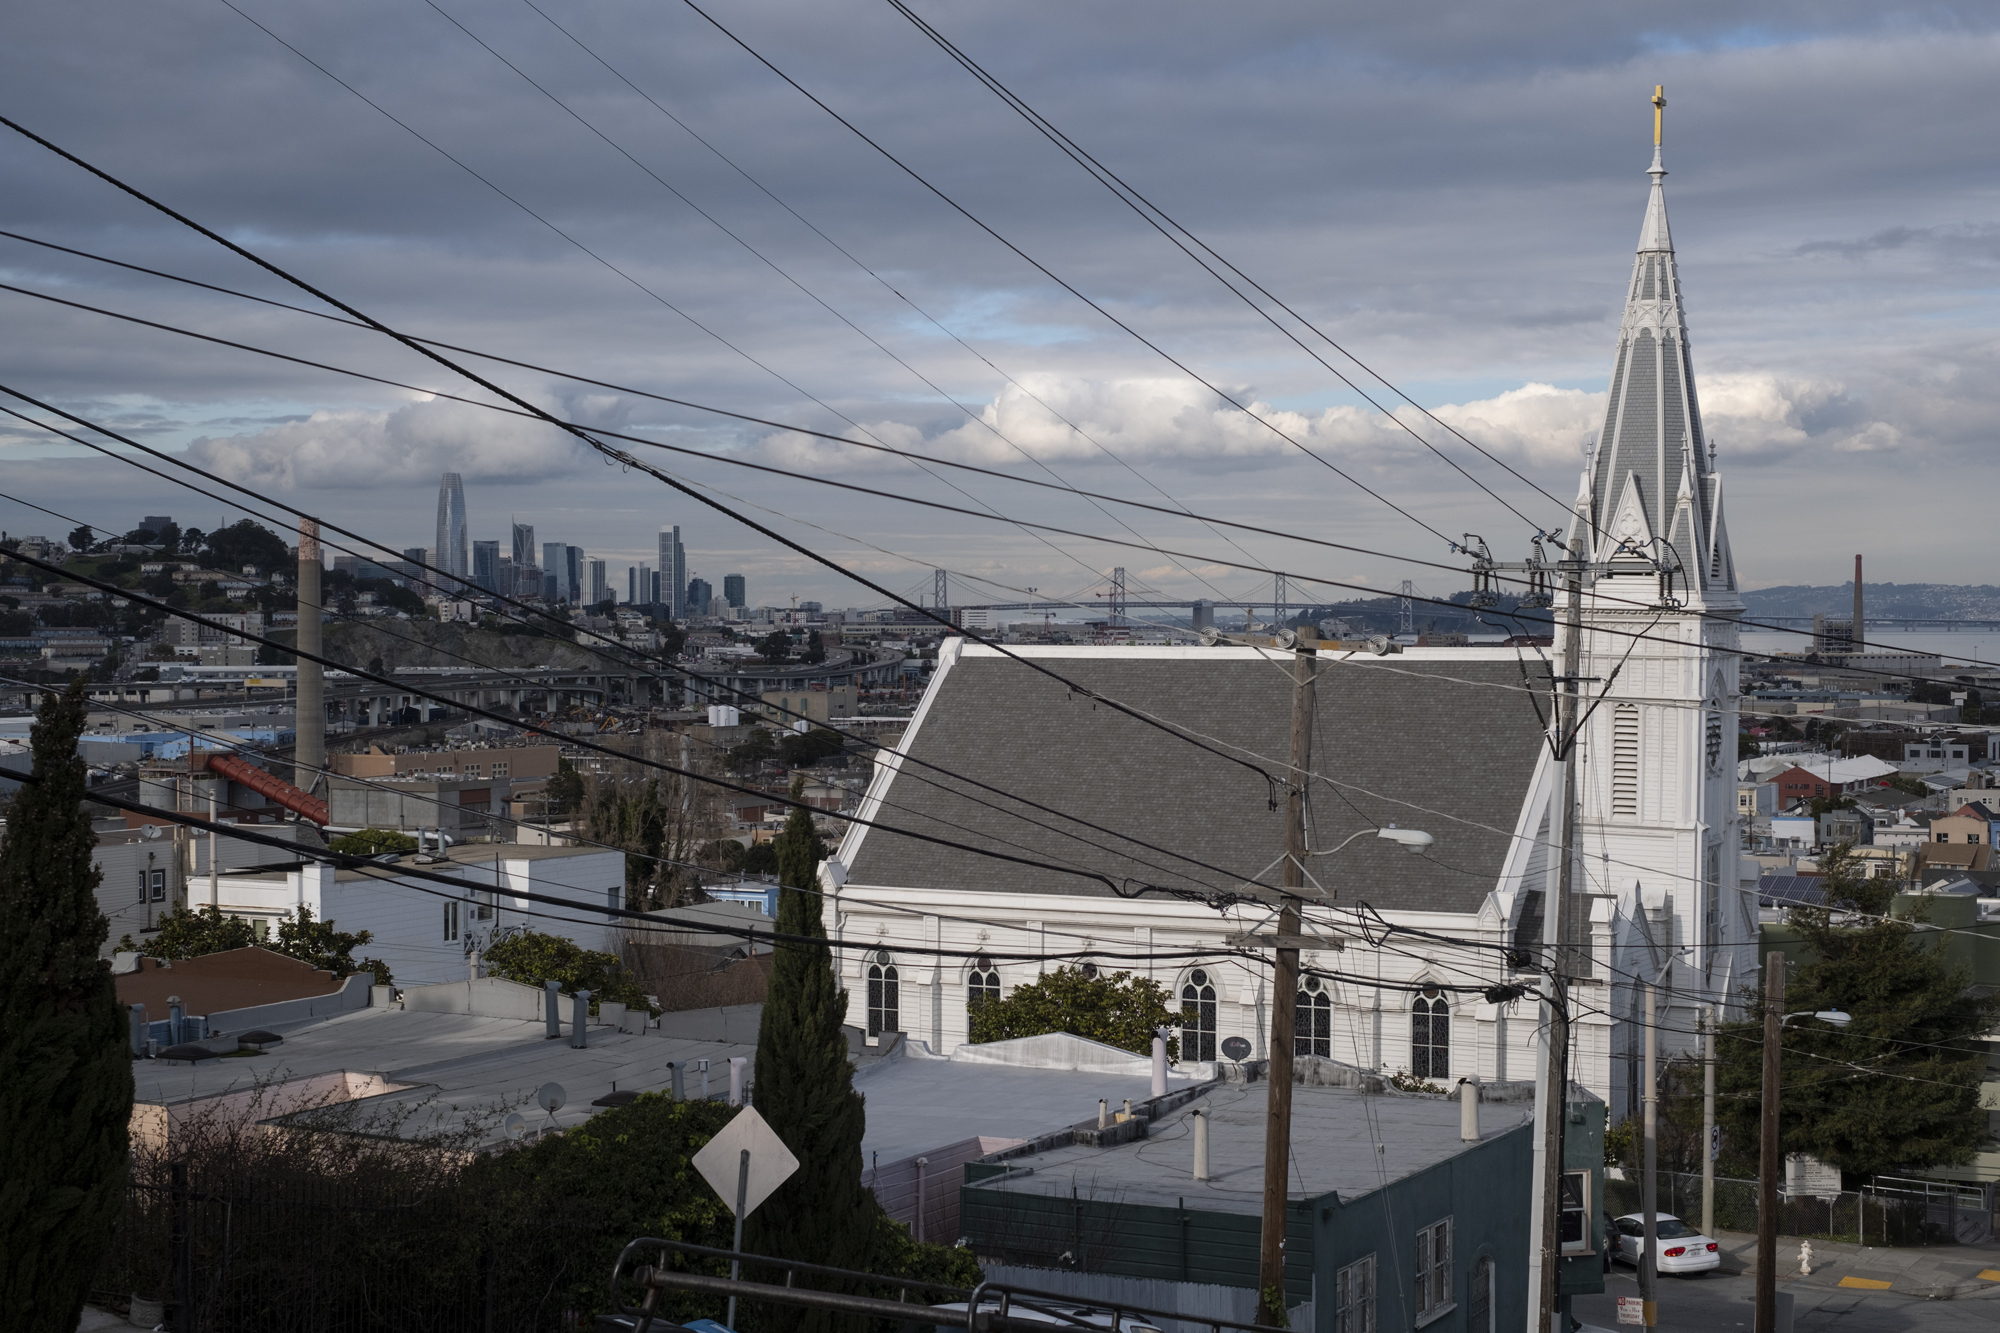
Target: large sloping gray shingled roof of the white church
1425,732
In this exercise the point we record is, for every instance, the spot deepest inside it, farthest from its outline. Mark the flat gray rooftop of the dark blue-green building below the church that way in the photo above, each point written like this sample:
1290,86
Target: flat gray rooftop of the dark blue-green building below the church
1343,1142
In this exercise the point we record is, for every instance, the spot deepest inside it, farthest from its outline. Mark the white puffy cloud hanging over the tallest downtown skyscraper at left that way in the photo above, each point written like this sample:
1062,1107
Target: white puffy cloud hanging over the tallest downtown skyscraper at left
403,447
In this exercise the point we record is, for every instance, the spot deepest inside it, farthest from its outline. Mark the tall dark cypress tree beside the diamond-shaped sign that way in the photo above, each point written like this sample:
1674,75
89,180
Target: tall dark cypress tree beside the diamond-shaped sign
805,1088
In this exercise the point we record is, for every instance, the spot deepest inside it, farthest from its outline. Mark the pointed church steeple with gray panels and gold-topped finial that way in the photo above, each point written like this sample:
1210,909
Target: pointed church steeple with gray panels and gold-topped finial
1651,483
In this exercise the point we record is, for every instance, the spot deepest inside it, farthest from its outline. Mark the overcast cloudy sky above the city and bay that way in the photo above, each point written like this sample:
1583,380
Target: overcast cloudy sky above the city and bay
1453,193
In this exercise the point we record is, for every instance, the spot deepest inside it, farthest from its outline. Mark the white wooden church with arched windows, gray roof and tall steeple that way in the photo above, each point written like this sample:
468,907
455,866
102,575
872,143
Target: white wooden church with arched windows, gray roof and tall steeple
1139,852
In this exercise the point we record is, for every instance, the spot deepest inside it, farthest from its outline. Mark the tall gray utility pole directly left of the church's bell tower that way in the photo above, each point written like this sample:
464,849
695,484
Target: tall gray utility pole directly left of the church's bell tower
1545,1254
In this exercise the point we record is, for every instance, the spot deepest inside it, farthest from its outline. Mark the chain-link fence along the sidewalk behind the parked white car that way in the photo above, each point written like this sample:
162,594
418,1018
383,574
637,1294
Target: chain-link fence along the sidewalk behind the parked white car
1891,1212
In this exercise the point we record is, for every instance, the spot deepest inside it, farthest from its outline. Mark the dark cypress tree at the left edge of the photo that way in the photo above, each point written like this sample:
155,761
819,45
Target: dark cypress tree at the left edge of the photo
65,1064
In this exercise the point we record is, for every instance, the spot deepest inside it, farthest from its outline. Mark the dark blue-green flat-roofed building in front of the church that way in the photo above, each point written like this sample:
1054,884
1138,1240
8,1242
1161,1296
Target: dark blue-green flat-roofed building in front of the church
1395,1222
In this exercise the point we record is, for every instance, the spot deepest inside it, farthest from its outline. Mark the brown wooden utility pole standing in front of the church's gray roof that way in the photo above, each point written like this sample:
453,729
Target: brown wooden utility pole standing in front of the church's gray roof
1285,998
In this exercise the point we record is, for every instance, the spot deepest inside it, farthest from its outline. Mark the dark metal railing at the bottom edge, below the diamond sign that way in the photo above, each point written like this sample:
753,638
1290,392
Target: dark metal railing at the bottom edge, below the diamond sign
1007,1302
